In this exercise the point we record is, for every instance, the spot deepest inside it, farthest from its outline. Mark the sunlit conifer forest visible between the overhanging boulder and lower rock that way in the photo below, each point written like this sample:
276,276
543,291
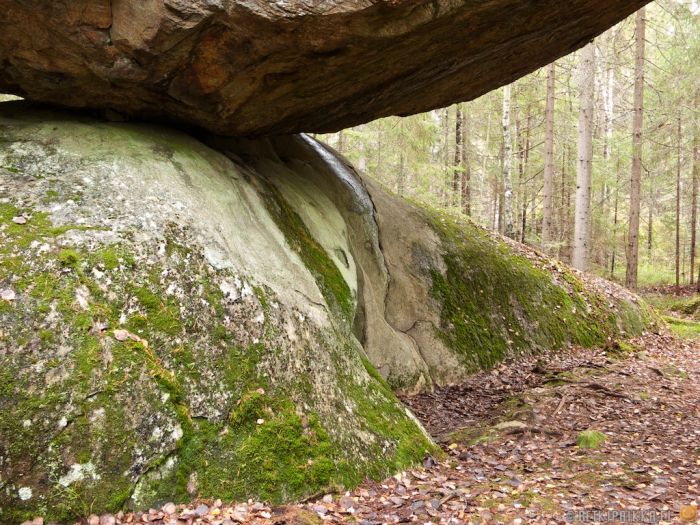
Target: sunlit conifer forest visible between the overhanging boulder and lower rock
550,159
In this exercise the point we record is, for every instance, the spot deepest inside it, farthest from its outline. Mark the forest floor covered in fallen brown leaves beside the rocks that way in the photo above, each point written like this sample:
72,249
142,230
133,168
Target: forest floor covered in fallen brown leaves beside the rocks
542,442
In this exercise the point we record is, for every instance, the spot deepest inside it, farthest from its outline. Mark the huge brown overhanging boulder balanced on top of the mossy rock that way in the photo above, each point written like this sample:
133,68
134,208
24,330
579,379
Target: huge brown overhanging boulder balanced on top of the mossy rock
257,67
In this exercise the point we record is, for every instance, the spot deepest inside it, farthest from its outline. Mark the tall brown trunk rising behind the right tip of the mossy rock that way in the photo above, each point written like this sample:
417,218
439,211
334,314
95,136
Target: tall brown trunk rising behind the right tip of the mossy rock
635,178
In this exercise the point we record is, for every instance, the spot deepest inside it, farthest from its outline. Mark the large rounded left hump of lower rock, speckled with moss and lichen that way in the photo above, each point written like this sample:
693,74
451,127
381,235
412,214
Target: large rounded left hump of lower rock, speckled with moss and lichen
174,332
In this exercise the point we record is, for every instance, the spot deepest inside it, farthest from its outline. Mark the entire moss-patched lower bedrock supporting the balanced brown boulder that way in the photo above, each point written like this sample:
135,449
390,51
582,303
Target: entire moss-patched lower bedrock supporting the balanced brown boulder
182,320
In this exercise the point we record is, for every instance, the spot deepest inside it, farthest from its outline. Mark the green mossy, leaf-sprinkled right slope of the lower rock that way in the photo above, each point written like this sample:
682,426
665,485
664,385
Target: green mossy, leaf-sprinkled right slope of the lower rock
496,304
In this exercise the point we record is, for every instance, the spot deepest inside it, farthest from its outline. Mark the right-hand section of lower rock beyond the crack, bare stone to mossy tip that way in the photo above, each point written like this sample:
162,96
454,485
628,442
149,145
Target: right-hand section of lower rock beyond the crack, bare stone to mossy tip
469,298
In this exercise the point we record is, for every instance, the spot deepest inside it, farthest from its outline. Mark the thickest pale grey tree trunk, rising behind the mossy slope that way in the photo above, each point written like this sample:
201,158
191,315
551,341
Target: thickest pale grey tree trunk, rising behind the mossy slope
582,220
